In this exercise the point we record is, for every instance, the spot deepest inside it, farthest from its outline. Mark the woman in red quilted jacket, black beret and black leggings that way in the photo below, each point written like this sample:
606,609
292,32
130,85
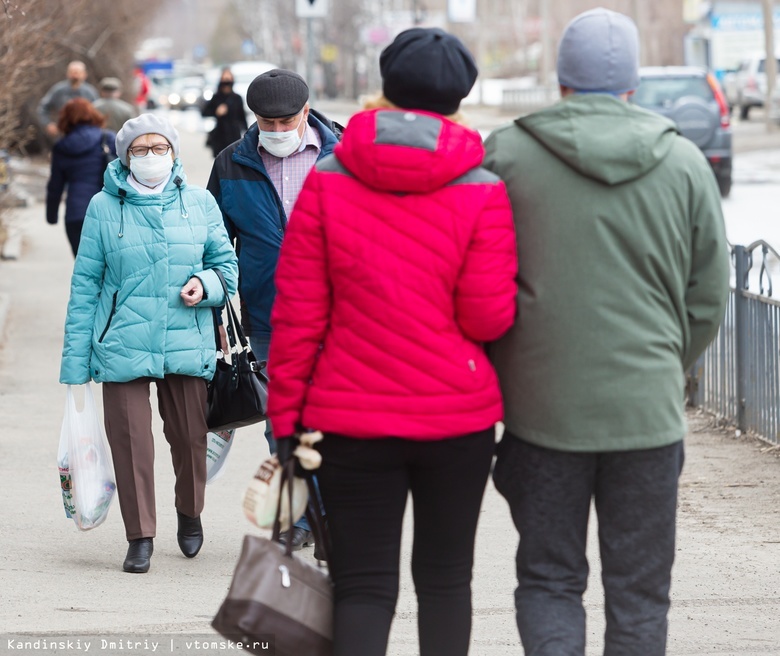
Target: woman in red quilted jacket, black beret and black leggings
398,264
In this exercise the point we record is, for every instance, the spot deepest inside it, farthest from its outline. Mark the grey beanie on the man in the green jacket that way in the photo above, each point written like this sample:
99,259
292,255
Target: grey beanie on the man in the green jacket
599,52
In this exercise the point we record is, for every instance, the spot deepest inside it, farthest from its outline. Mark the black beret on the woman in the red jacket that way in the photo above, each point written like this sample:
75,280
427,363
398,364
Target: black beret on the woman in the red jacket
427,68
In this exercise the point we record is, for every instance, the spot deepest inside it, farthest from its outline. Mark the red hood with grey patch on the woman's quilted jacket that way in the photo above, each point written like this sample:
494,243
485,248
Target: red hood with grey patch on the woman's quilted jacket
407,151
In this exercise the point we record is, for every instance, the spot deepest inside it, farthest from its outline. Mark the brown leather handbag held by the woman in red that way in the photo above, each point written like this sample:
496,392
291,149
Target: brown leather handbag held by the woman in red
278,603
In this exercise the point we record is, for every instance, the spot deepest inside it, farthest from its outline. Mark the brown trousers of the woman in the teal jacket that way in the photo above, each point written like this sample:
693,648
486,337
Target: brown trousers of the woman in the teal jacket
128,420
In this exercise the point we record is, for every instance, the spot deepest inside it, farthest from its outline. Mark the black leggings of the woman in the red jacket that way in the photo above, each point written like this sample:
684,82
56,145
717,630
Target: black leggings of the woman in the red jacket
364,485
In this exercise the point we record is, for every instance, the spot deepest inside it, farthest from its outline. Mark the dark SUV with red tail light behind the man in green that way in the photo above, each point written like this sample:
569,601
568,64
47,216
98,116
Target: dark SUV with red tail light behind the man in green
693,99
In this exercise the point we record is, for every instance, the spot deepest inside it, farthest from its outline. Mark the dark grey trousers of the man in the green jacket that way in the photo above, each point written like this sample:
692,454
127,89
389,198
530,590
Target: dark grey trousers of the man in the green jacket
549,494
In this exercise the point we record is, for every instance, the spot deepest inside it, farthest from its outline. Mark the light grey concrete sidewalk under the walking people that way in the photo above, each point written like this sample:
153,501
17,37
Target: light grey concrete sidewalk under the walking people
60,582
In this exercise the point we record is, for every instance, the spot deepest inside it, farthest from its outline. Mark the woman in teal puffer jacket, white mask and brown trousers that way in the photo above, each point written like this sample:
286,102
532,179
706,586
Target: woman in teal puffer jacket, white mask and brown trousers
140,311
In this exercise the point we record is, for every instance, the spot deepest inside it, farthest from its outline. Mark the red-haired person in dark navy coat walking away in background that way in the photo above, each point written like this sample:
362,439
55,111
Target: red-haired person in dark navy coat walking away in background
78,162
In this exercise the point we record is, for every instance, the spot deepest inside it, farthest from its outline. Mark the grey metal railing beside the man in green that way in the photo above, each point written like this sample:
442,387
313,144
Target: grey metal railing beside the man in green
738,376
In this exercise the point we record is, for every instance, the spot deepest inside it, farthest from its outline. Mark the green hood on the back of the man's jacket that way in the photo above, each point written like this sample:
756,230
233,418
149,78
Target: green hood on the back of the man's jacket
602,137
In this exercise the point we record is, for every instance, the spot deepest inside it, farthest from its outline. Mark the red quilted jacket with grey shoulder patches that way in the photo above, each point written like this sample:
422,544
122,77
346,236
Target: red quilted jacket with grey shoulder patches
398,263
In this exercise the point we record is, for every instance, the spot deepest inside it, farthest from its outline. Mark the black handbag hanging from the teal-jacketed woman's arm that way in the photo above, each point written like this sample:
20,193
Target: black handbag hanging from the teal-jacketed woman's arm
238,393
